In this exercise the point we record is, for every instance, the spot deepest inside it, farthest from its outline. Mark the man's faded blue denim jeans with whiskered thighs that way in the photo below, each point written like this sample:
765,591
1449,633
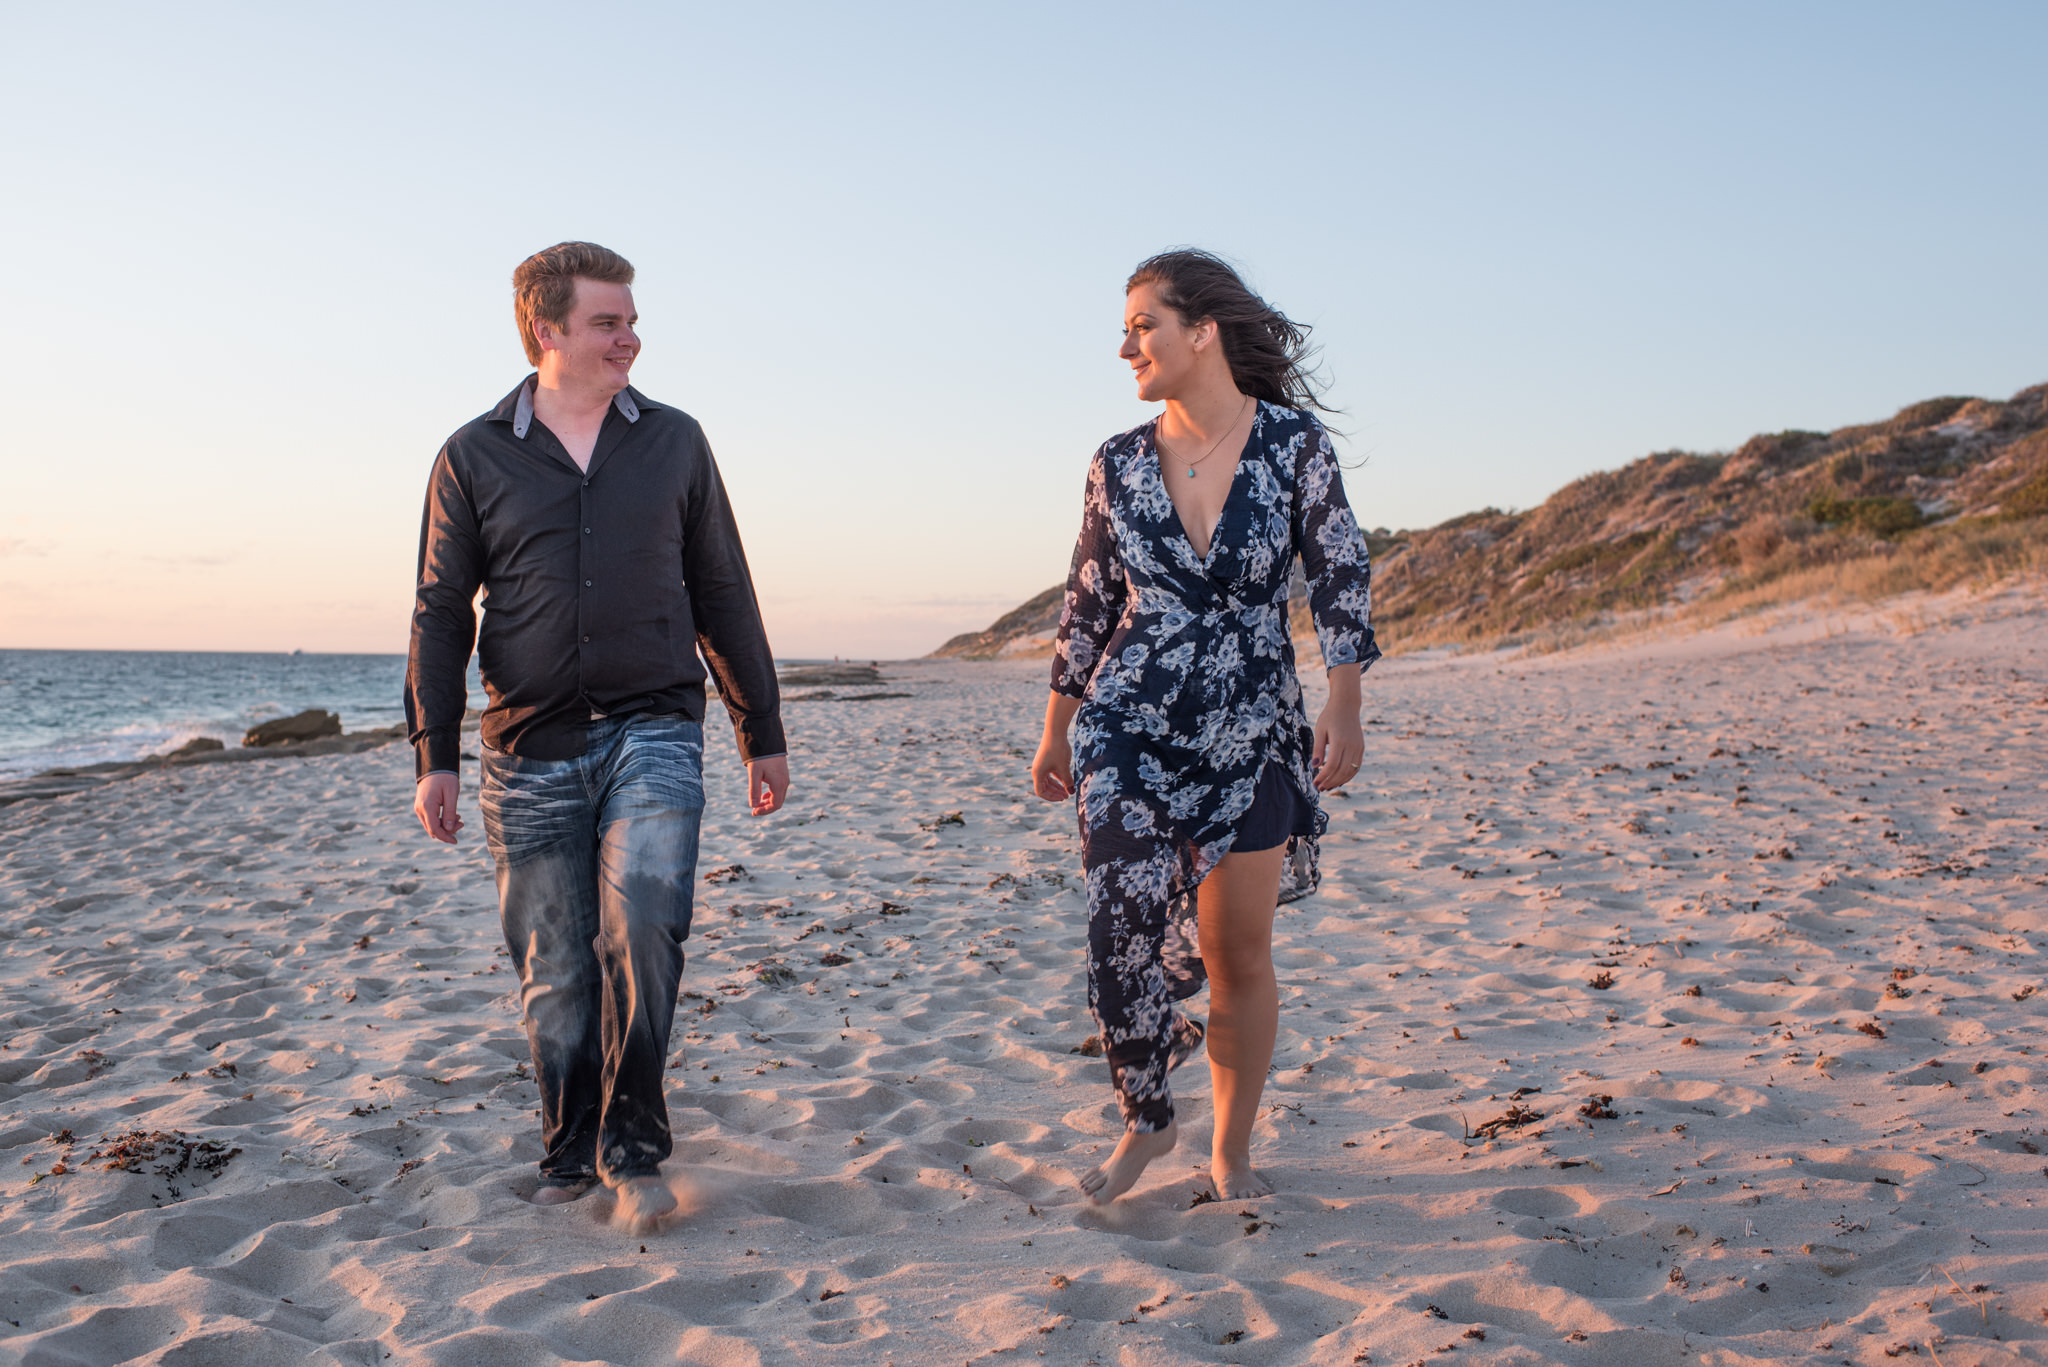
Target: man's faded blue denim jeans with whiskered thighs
597,860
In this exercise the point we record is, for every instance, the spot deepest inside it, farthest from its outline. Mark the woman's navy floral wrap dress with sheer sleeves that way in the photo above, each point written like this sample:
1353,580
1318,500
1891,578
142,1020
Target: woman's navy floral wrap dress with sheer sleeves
1187,675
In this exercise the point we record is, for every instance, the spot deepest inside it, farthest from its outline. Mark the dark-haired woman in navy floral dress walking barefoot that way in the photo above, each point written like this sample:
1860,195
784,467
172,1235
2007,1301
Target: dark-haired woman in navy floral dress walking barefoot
1193,761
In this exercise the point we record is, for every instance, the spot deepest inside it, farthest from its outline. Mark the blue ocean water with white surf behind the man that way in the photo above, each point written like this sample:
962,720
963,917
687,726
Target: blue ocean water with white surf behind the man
85,706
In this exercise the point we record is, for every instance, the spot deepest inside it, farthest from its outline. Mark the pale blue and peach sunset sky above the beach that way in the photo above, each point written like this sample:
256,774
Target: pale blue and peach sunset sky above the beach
261,265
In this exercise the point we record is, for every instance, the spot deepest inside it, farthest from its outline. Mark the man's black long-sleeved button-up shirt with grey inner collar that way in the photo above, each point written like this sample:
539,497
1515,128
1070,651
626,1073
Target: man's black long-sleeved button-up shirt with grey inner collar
599,589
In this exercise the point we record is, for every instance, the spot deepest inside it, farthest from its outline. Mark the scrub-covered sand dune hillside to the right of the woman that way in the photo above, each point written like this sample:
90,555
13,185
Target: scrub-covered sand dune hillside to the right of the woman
1682,528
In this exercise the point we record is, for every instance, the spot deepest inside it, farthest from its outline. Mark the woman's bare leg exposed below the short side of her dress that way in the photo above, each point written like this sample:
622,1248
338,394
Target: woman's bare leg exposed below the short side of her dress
1238,905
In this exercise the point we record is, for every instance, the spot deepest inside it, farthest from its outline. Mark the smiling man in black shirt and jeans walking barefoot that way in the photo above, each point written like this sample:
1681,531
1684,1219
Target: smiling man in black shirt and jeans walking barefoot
597,528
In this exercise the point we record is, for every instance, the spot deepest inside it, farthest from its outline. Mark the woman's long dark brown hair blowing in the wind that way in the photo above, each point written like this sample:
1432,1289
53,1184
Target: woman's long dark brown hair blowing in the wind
1269,351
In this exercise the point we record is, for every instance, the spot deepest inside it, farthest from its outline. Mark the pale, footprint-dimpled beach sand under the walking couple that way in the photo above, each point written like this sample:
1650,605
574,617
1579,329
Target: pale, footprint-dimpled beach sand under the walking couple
1750,833
